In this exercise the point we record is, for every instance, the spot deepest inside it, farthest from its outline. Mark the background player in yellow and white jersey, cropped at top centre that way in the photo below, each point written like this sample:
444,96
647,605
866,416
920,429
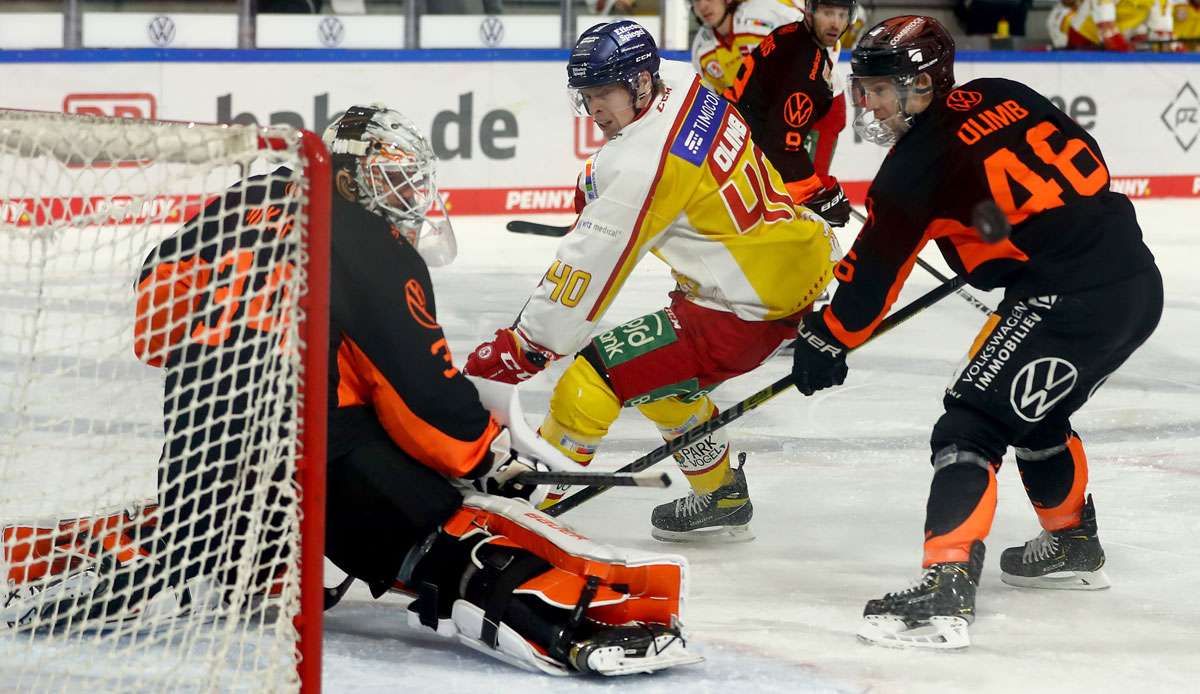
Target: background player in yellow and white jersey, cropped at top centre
730,31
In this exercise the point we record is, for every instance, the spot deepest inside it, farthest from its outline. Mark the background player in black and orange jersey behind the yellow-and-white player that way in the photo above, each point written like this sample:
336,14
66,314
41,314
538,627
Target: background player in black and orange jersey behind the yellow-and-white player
788,93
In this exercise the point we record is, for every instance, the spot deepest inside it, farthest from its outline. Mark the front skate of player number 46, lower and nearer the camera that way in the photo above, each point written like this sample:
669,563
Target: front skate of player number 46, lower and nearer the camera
933,614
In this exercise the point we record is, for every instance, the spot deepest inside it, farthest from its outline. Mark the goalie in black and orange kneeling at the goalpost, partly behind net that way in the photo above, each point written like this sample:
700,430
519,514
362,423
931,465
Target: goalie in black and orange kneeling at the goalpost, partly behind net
409,439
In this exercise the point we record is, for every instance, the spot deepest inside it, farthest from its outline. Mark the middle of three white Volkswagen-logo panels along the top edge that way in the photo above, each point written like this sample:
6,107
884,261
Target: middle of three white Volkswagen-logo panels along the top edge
329,32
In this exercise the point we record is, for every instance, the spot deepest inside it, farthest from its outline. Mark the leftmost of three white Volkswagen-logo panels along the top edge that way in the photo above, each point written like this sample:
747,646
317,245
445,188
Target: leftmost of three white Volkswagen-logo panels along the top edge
167,31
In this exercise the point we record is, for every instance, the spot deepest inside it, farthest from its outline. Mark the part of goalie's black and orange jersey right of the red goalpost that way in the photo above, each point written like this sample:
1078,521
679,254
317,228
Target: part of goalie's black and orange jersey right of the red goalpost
389,360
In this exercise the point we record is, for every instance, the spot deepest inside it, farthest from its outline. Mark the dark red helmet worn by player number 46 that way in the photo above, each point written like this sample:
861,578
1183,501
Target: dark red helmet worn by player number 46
905,47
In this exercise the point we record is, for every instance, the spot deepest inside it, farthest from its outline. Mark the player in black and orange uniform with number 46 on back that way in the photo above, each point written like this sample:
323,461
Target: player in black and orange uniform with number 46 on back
1082,294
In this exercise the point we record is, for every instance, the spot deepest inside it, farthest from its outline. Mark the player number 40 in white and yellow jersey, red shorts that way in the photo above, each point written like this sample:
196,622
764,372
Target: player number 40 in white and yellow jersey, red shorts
679,178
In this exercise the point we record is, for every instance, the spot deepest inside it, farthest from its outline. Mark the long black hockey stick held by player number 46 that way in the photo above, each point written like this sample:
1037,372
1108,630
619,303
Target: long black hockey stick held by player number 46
758,399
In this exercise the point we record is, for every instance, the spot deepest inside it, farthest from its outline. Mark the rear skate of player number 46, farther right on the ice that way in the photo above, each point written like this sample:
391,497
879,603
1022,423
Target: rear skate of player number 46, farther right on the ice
1067,560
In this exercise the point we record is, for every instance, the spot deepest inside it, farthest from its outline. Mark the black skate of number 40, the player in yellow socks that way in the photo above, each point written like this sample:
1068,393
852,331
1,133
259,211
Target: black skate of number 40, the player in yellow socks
723,516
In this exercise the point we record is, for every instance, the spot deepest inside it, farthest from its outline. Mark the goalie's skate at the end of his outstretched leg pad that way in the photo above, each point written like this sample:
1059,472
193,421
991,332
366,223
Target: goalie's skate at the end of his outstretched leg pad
633,649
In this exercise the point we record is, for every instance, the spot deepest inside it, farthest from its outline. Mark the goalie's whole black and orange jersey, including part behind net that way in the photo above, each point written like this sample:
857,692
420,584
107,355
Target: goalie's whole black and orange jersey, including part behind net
199,294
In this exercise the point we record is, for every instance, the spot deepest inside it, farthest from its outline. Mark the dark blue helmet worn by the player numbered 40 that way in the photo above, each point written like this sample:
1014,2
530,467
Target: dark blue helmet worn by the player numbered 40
616,52
